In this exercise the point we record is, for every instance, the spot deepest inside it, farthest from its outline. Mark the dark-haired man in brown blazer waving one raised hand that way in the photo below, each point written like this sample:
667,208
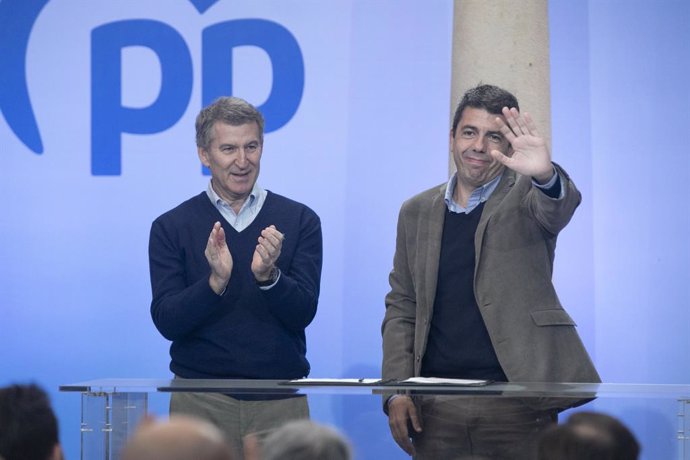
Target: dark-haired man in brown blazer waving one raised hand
471,292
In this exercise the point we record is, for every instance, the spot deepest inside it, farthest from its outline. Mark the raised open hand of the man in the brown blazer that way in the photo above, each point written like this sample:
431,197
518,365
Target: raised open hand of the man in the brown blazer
530,155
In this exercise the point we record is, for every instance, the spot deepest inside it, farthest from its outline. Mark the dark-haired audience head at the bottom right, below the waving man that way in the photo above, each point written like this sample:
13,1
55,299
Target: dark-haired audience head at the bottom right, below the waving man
589,435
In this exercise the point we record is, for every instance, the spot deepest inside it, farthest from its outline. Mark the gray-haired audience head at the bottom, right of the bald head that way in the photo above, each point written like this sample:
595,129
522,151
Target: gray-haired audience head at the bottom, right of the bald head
305,440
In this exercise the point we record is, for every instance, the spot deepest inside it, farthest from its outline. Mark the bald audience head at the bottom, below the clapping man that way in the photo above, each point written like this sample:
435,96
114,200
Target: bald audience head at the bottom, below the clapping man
180,438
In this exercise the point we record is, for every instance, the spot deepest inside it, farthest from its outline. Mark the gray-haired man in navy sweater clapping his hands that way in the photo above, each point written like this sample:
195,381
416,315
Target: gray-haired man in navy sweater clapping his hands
235,275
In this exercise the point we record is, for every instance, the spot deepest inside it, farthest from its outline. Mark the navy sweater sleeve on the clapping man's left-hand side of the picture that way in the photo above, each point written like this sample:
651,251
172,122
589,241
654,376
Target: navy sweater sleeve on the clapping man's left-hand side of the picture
177,309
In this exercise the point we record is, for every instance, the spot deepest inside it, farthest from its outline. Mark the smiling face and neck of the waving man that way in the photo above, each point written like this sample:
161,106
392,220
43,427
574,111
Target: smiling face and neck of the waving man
476,135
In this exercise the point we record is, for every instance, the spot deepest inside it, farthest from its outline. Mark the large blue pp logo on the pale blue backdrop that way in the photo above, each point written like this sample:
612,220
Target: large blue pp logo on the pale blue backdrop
109,118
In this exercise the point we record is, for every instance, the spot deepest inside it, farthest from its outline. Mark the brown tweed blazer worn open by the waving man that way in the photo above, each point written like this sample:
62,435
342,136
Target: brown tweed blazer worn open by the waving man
534,337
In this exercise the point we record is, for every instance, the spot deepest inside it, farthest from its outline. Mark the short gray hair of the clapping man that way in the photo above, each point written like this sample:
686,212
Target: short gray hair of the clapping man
230,110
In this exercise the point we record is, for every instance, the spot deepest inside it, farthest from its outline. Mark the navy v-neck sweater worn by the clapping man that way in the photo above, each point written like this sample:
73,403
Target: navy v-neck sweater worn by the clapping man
247,332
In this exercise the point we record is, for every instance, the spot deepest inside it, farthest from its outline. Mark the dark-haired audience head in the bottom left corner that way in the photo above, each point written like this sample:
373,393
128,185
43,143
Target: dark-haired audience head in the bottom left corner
28,426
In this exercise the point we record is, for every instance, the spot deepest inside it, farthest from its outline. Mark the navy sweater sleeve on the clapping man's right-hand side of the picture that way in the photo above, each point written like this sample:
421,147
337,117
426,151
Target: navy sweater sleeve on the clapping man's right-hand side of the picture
294,298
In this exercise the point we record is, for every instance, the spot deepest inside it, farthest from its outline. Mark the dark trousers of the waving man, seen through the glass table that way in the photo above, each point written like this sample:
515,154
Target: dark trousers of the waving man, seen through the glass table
479,428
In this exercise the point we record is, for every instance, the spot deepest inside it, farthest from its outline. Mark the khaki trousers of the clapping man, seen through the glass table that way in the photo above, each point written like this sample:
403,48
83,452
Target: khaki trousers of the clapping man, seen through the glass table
237,418
